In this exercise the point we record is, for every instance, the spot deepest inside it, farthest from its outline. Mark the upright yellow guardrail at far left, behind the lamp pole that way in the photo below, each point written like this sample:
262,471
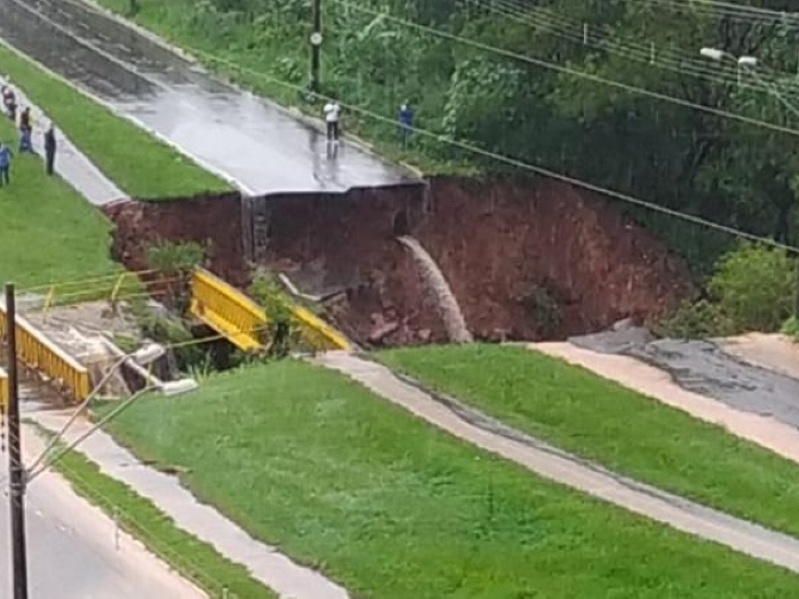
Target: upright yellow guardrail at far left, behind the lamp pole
38,353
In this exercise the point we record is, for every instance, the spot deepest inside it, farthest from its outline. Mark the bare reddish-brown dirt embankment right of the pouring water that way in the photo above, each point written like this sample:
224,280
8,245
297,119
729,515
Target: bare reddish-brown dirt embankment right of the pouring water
509,247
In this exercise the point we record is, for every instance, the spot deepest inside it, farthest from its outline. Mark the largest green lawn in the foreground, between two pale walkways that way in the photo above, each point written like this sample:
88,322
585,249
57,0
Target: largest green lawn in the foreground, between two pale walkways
313,463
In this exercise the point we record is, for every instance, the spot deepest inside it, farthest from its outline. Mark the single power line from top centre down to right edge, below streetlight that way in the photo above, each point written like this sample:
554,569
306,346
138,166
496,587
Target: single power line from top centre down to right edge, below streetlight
568,70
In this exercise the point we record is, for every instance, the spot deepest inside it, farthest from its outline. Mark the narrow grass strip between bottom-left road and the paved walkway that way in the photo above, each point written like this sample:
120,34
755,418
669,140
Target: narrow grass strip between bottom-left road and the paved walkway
195,560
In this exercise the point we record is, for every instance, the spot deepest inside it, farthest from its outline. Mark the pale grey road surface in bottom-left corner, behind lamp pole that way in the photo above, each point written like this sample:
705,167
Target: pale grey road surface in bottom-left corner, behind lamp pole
71,548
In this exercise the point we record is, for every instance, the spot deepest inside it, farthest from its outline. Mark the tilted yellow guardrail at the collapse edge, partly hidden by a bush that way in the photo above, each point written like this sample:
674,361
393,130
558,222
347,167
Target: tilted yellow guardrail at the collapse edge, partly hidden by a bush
227,310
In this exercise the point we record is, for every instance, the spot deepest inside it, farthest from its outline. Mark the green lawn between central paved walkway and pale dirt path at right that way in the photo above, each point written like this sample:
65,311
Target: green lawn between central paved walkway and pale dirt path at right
609,424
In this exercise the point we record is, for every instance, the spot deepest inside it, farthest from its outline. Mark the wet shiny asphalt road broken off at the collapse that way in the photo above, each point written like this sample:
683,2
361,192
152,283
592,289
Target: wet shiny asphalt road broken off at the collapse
249,140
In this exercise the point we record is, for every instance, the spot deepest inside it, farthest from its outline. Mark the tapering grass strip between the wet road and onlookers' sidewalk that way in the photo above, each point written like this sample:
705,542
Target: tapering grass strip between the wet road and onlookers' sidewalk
137,162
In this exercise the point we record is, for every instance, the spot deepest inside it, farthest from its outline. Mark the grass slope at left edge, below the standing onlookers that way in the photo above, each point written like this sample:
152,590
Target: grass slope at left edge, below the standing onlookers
47,231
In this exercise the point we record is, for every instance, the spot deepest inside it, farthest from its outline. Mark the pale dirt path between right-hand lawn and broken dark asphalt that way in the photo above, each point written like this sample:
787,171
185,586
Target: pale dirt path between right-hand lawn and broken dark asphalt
768,432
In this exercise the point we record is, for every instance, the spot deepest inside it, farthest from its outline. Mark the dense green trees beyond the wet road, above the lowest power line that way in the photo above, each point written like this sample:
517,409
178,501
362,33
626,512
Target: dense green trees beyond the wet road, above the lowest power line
561,113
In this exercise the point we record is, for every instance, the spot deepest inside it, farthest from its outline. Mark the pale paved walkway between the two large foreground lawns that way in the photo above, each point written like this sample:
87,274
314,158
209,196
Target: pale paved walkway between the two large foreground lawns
559,466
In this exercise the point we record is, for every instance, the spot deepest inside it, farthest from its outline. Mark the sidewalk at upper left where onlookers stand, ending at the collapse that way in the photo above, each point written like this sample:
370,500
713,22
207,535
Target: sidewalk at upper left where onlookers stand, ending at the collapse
71,164
